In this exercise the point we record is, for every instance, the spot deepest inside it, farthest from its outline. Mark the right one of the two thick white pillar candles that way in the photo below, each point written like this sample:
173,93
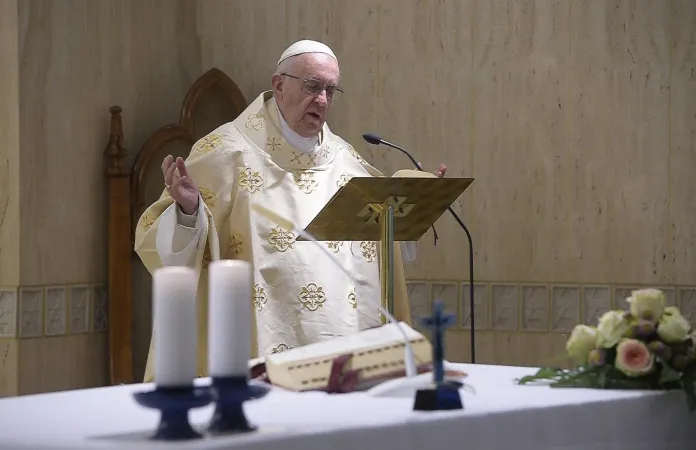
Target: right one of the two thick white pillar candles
229,318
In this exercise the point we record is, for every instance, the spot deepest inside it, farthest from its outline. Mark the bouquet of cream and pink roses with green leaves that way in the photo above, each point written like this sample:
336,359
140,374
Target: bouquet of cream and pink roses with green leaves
646,346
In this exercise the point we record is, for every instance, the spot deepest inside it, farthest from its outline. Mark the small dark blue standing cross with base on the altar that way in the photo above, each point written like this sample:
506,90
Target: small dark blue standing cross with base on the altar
444,395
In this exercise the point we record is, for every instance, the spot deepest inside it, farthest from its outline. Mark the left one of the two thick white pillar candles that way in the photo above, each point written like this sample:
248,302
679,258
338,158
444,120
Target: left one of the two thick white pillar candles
175,338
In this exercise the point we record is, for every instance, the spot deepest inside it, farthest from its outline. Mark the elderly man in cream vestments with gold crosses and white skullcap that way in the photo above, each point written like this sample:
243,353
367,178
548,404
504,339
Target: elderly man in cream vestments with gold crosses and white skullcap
281,154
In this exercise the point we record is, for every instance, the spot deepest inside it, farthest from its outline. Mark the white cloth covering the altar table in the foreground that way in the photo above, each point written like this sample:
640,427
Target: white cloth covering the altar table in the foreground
501,415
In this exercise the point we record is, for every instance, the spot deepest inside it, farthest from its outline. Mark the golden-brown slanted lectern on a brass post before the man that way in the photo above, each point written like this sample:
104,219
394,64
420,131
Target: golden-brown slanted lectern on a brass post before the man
385,209
